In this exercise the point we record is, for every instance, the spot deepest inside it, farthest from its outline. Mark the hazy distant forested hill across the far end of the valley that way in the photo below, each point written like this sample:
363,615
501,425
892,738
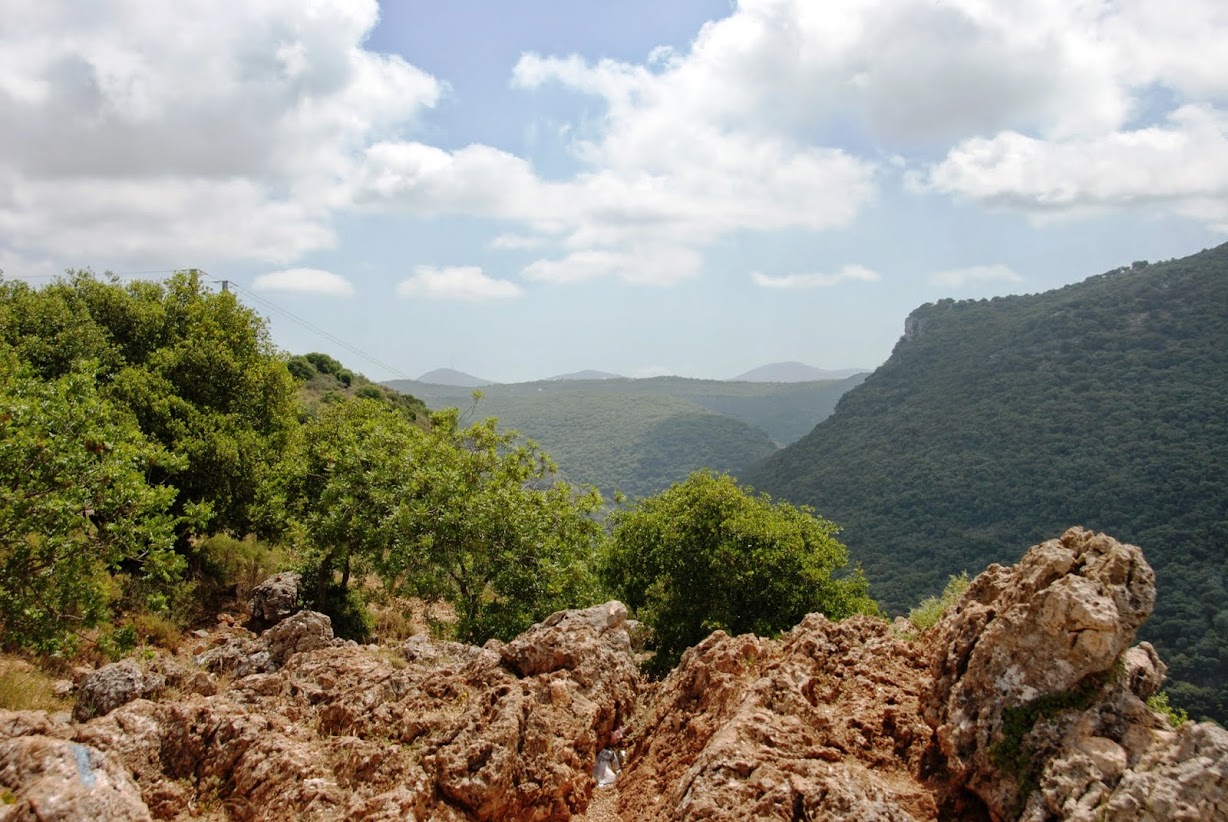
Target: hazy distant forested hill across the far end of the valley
642,436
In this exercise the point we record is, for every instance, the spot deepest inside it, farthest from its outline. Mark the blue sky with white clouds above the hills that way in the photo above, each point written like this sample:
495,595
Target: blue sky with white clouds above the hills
524,189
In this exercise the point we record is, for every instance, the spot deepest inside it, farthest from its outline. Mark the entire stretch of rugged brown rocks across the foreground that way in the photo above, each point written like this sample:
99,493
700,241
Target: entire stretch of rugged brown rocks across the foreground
1027,701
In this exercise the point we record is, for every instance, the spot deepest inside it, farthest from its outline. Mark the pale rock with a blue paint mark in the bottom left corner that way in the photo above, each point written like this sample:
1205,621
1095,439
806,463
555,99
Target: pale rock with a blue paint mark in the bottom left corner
58,781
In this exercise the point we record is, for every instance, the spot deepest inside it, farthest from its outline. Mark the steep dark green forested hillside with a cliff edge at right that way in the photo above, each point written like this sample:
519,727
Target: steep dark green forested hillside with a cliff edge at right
1000,423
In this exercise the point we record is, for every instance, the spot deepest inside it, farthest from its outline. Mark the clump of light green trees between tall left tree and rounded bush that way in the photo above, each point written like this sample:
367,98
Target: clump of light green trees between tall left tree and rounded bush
470,515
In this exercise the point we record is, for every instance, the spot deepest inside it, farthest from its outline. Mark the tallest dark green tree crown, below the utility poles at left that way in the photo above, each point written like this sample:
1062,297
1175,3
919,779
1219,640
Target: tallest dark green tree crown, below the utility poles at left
197,372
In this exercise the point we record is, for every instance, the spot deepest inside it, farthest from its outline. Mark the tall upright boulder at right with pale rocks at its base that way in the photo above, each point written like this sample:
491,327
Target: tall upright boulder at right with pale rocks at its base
1038,702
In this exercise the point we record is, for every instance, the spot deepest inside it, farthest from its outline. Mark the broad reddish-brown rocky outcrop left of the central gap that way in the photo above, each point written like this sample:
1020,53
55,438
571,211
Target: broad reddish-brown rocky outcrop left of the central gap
327,732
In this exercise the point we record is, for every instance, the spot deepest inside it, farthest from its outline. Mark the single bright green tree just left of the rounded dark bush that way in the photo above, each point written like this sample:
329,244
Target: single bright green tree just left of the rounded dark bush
486,524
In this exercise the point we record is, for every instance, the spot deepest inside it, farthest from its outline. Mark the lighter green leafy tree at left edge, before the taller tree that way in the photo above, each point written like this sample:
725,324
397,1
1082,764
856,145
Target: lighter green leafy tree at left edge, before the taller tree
77,506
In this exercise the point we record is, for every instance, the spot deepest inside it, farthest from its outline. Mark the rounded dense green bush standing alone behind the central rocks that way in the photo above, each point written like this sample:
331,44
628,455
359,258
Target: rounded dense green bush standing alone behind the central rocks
707,555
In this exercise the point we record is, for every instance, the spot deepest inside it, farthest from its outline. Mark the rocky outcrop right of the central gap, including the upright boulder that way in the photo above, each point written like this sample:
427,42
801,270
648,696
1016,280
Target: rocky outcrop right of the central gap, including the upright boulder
1025,702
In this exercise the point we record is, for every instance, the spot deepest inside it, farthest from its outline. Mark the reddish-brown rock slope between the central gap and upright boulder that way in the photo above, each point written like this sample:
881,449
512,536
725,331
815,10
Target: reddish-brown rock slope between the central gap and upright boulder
823,724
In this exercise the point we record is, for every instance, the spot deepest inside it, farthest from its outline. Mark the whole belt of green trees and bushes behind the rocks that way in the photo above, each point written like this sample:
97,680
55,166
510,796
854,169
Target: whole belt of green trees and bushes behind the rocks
160,456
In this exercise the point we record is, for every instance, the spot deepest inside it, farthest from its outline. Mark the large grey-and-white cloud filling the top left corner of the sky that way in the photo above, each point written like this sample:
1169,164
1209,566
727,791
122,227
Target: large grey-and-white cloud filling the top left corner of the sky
188,132
